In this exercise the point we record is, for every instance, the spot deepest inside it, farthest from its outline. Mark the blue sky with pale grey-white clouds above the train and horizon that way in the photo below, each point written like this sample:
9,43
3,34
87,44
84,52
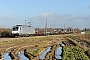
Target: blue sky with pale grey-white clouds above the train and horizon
57,12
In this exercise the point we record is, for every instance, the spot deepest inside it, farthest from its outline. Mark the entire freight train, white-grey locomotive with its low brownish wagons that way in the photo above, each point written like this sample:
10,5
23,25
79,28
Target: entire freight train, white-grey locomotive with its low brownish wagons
25,30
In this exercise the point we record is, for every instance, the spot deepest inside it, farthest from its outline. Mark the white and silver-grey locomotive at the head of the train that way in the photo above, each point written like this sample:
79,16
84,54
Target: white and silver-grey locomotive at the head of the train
22,30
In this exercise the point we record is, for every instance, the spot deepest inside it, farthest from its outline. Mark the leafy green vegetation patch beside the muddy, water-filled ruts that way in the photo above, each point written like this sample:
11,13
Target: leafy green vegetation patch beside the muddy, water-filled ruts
74,53
